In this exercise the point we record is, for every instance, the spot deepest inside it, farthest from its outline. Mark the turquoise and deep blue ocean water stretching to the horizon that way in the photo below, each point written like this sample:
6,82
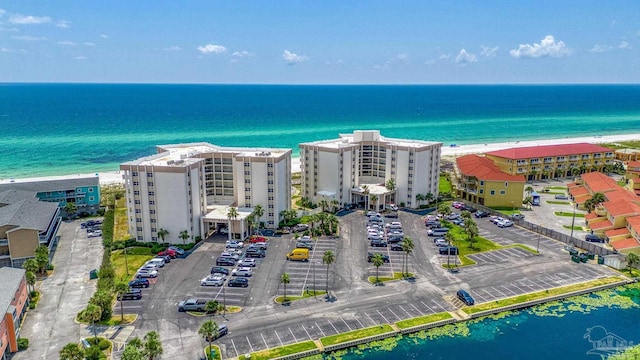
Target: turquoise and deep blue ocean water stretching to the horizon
55,129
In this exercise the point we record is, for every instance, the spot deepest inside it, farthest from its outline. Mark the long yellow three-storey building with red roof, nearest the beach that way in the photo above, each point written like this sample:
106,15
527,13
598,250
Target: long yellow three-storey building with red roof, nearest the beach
543,162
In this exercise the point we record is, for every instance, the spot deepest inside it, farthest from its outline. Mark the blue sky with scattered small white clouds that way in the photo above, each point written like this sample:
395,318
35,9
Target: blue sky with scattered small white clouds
322,42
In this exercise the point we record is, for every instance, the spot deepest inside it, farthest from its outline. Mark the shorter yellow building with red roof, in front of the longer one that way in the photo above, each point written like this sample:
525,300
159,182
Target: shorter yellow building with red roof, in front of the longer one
479,180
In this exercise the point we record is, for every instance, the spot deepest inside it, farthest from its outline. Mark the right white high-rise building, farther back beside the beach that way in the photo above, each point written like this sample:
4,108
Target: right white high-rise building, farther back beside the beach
369,169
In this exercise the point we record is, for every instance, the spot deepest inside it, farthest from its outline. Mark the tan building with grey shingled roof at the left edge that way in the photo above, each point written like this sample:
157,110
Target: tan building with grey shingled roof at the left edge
25,224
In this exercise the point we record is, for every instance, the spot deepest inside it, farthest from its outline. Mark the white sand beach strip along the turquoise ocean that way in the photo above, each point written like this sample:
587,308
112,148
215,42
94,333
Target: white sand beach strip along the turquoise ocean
115,177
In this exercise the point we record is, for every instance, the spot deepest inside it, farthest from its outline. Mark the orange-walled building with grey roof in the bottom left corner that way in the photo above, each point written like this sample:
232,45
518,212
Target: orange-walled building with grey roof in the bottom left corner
14,301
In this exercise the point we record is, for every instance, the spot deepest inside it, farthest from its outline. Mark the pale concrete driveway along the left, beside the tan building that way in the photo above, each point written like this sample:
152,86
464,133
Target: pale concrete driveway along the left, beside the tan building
51,325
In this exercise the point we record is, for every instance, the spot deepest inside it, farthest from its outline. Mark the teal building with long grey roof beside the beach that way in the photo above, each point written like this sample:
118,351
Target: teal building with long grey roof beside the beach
83,191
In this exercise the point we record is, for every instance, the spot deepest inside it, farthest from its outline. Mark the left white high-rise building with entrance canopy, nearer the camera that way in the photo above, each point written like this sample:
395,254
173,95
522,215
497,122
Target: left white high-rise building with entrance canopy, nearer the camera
192,187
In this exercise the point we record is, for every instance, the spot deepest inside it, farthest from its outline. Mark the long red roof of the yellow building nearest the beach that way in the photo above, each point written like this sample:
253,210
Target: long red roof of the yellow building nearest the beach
549,150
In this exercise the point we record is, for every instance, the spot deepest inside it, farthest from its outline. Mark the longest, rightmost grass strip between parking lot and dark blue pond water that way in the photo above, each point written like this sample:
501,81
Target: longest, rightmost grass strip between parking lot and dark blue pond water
530,299
